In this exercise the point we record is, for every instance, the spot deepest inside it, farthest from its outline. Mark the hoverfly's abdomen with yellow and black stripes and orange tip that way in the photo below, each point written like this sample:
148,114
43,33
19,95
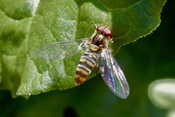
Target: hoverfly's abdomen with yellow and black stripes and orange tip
87,62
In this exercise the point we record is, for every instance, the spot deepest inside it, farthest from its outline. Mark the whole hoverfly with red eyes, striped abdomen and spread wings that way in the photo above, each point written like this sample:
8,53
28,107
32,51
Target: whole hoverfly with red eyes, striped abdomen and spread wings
97,52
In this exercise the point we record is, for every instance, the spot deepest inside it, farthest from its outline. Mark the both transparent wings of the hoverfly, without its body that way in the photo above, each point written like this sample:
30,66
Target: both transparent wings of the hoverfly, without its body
109,68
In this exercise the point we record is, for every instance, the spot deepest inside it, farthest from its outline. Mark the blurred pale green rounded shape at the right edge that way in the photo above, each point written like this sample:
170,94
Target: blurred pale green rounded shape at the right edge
162,93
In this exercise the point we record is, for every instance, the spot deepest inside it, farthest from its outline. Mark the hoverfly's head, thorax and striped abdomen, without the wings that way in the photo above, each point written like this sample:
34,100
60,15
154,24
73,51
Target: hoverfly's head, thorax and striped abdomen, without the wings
97,42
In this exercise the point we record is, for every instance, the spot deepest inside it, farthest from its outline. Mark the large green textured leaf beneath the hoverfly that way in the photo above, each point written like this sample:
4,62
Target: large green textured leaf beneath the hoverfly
25,25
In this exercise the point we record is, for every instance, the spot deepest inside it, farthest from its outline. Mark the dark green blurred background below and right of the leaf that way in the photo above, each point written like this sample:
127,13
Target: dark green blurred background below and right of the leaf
144,61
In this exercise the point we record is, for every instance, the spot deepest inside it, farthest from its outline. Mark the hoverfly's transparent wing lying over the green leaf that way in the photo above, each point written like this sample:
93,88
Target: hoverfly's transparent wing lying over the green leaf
61,49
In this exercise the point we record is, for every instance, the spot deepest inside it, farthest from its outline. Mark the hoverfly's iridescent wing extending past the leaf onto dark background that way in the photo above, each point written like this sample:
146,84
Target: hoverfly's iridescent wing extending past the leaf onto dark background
113,75
